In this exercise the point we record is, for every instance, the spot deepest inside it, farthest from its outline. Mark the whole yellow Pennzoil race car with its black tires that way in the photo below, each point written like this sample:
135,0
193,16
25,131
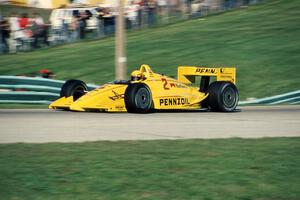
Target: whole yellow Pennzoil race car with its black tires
148,91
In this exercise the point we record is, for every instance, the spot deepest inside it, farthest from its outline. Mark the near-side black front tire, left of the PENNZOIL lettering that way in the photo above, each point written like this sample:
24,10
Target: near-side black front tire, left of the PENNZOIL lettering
138,98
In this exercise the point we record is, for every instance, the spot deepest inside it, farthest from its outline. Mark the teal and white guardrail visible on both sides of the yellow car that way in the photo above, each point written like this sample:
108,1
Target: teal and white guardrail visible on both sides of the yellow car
36,90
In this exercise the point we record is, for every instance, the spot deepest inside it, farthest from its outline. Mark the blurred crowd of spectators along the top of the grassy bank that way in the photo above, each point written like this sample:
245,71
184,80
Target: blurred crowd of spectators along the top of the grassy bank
21,32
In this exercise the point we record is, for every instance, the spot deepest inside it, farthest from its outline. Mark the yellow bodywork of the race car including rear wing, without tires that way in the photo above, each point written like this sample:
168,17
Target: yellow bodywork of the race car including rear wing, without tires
167,93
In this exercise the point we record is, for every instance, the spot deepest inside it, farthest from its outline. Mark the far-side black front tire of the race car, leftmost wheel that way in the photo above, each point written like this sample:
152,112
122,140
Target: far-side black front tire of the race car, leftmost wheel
75,88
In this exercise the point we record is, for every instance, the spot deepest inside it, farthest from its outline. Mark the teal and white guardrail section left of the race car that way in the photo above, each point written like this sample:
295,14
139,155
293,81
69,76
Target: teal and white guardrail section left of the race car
30,90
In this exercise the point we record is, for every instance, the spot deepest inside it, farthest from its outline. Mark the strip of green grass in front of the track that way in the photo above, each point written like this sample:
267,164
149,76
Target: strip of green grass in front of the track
184,169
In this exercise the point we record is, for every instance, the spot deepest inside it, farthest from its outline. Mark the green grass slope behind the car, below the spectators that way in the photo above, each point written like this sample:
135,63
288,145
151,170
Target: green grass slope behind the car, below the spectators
262,41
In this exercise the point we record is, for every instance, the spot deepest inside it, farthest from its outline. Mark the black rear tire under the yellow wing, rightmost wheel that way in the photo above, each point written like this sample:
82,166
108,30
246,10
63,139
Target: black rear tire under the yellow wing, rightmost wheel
223,96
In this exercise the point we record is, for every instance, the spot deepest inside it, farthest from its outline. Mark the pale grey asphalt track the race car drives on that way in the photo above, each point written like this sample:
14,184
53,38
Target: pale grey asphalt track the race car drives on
42,125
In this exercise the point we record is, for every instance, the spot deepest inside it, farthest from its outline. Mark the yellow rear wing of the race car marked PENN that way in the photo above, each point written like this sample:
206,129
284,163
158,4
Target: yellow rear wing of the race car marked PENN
187,74
